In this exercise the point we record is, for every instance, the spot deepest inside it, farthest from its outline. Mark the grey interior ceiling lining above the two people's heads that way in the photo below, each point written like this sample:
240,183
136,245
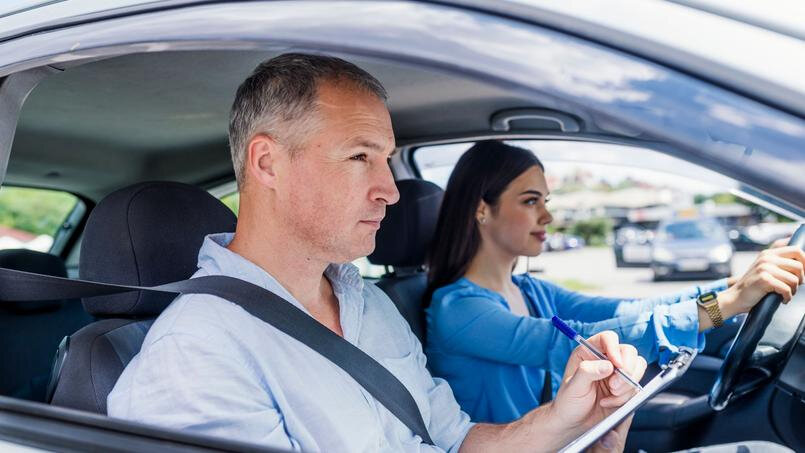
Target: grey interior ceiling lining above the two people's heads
166,114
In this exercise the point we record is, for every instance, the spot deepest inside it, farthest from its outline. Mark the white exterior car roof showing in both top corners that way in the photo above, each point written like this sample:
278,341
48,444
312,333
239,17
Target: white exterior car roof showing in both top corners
756,50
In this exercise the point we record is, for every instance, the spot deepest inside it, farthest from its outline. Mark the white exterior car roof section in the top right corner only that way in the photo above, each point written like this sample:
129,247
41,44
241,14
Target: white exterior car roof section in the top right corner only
740,47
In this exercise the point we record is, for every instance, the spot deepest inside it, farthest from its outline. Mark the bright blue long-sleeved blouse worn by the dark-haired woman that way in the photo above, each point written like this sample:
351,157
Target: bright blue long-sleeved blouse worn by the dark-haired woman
496,361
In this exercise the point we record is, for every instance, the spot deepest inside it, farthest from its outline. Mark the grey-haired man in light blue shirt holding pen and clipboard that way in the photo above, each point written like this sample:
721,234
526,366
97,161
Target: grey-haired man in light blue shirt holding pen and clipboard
310,139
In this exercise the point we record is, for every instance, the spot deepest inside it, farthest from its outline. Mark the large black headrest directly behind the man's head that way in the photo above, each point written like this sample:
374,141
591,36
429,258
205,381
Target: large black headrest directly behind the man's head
147,234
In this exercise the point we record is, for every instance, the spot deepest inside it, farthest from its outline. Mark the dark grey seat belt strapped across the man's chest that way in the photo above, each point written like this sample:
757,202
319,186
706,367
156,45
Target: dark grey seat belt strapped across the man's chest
260,303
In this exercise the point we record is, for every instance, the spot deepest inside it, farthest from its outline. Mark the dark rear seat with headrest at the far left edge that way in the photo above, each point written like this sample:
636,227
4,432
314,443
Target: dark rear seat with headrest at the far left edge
31,331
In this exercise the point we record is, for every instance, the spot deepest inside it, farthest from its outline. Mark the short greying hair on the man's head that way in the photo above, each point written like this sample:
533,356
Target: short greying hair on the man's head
279,99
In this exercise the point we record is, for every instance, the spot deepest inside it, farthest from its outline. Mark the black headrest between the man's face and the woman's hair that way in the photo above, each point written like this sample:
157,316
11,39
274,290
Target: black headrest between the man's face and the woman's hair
409,225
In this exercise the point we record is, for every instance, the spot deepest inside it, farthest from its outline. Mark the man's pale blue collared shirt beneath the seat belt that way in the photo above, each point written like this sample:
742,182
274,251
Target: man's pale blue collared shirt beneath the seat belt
209,367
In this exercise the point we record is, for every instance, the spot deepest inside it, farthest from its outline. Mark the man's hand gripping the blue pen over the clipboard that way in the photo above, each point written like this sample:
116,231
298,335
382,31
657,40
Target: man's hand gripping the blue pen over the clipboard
591,390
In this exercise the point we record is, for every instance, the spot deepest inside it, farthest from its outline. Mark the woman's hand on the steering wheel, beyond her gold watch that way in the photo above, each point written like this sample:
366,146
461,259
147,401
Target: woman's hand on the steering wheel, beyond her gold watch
778,269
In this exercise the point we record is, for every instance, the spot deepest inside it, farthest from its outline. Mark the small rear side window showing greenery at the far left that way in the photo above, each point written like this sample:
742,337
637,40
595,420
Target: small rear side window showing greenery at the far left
34,218
